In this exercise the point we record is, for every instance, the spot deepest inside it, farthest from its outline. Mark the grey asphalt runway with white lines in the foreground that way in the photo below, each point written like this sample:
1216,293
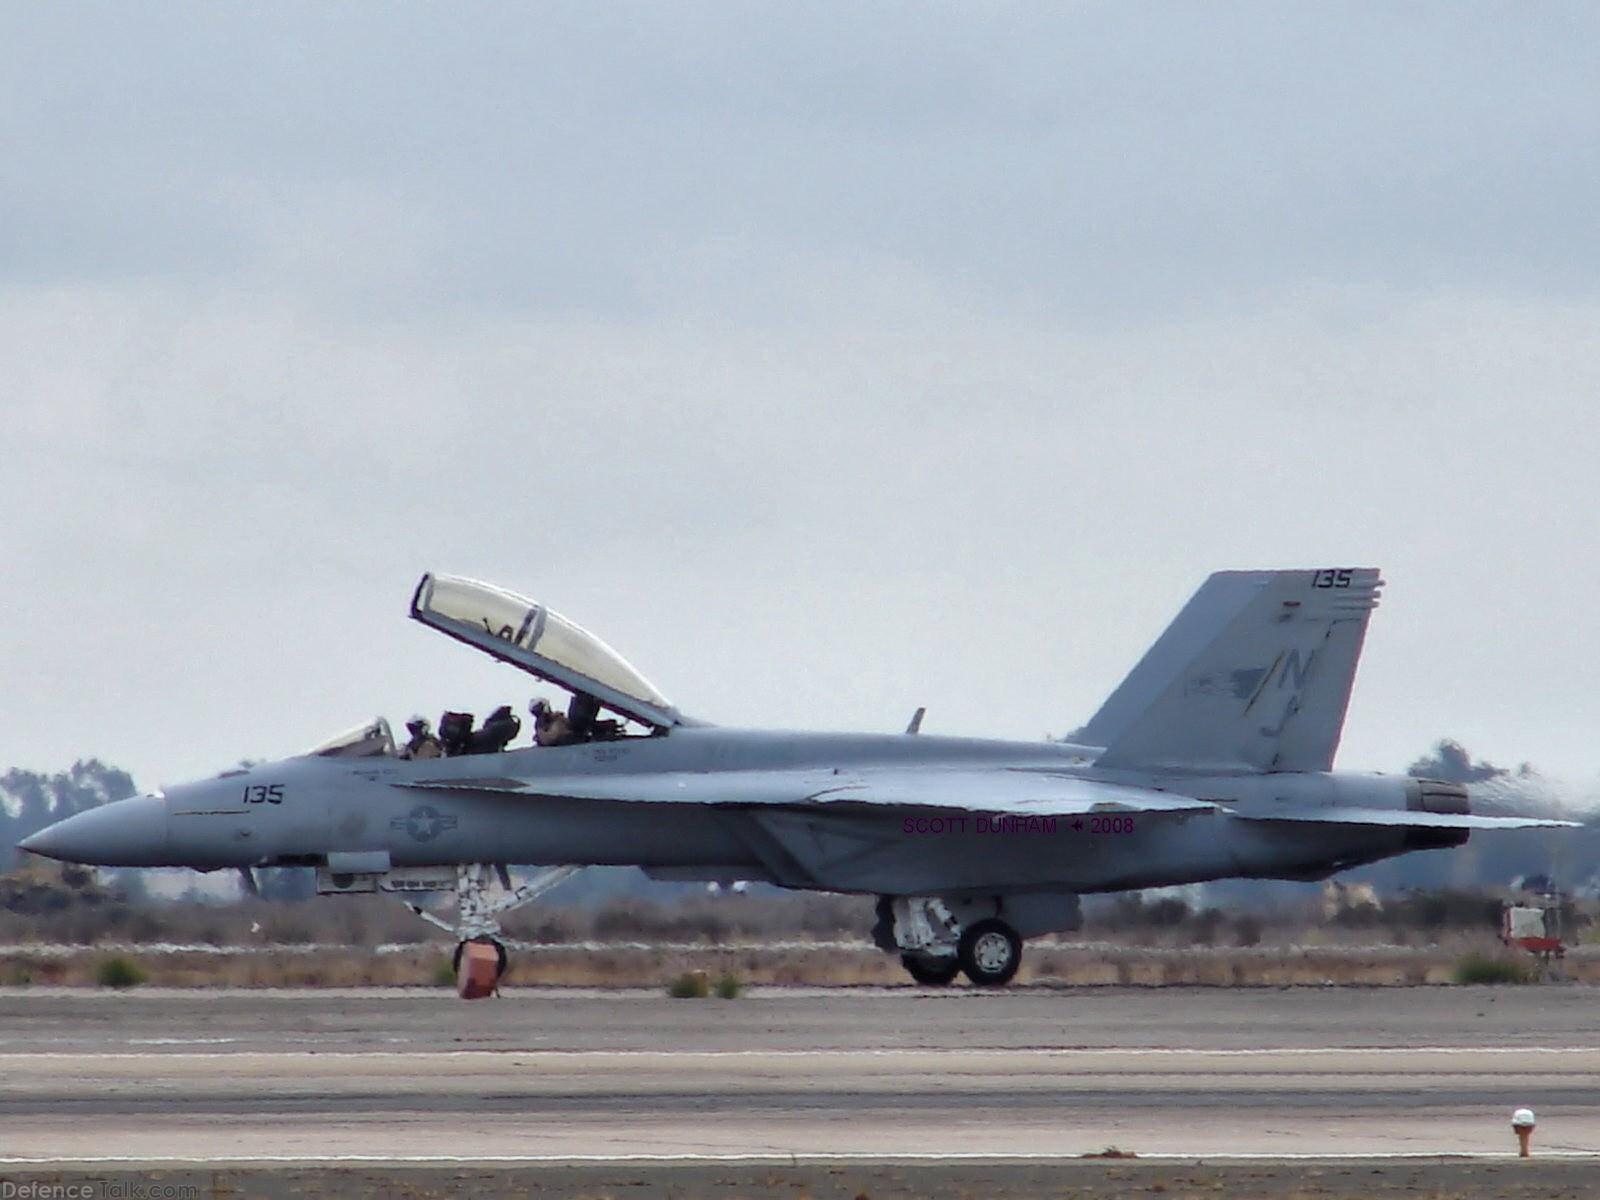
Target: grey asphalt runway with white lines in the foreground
798,1076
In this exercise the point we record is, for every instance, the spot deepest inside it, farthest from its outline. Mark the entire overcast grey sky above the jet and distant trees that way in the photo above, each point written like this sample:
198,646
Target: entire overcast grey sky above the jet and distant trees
826,359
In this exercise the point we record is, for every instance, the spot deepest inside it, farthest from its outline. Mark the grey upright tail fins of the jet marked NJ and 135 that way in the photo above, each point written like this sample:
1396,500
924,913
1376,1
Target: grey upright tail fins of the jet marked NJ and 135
1254,676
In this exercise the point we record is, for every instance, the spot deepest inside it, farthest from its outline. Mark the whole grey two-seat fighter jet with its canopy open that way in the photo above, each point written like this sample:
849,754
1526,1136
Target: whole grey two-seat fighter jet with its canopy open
1210,761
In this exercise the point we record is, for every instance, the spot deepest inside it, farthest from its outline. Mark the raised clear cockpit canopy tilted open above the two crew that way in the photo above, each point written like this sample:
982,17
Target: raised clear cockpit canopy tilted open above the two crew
545,644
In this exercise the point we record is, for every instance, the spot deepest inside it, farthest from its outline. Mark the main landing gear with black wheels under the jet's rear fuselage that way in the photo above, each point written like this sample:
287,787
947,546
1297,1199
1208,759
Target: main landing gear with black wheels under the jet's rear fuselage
937,945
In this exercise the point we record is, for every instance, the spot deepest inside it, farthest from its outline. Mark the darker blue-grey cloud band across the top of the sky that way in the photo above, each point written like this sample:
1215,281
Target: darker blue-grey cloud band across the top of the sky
1097,156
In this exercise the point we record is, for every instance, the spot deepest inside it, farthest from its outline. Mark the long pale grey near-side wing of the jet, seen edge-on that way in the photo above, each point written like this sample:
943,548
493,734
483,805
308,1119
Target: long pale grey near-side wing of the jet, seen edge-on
1001,793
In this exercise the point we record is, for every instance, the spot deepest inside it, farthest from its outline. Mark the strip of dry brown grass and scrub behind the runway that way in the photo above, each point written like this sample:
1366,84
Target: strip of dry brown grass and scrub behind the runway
764,940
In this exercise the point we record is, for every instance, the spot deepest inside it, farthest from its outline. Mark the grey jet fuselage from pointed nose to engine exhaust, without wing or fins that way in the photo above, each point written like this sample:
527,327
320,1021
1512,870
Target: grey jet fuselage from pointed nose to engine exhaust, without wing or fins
380,812
